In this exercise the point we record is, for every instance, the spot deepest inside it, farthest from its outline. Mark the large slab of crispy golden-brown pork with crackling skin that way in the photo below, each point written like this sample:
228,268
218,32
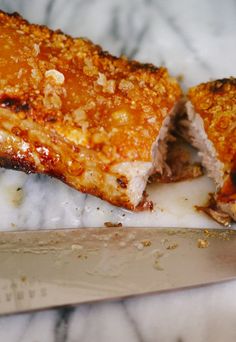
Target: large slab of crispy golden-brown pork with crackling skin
72,111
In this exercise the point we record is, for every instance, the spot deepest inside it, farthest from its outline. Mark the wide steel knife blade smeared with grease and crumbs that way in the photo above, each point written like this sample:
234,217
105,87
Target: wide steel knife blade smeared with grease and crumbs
50,268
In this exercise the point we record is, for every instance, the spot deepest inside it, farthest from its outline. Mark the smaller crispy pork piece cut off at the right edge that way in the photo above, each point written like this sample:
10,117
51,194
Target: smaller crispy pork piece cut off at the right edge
211,127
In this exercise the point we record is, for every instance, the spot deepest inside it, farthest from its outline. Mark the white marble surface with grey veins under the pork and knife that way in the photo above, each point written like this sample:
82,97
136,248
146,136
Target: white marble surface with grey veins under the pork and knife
191,37
